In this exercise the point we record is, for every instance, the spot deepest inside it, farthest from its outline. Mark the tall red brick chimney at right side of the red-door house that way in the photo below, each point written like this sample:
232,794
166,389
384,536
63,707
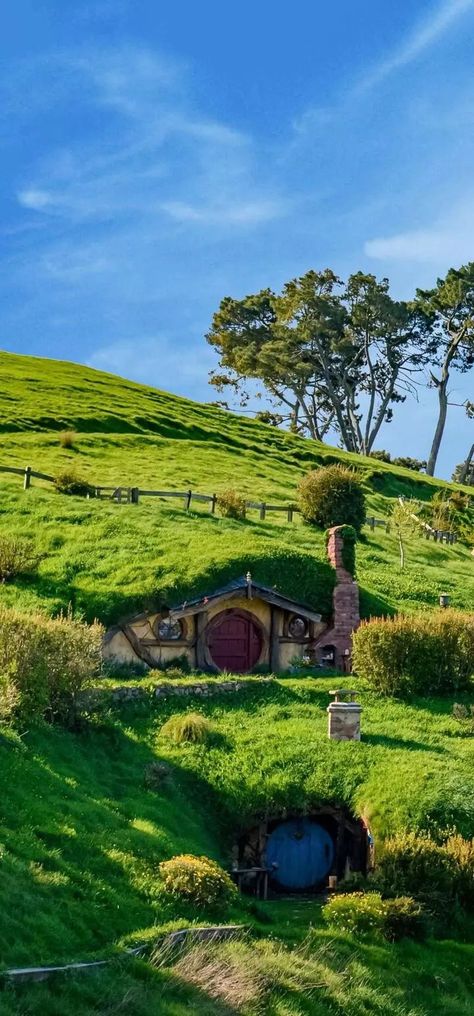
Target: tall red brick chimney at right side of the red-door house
347,617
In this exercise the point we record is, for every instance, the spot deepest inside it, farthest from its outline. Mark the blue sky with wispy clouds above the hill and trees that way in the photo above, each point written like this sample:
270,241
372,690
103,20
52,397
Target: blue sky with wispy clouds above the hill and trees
158,157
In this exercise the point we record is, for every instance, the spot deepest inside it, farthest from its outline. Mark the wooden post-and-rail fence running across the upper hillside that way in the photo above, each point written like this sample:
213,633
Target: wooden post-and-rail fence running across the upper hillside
133,495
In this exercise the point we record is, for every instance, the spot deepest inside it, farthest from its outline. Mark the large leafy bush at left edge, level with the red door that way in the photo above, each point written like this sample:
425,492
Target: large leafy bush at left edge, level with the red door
47,662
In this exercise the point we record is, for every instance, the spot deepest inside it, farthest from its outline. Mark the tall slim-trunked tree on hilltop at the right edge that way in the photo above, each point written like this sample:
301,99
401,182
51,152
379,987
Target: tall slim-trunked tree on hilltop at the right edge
449,314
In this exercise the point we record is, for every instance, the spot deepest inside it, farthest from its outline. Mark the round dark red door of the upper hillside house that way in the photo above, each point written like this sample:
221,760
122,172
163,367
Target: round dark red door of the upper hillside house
235,642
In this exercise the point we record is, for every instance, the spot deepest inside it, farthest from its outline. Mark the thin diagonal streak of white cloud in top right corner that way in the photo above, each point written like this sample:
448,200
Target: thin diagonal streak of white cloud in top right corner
426,35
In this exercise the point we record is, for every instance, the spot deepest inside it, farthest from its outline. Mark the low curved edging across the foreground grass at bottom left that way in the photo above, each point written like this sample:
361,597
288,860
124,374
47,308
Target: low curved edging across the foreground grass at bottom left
219,933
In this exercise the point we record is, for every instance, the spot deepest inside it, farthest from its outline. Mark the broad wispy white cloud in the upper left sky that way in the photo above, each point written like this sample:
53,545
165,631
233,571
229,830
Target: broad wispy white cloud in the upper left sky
163,159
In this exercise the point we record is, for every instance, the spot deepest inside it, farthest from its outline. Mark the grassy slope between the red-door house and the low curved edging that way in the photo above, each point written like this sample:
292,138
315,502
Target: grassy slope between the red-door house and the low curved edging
83,837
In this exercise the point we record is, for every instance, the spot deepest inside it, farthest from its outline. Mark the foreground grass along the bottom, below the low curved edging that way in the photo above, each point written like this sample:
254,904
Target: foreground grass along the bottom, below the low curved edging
328,976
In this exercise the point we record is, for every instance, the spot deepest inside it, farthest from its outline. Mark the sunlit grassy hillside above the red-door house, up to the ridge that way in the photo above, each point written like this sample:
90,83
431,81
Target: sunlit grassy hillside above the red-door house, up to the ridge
108,560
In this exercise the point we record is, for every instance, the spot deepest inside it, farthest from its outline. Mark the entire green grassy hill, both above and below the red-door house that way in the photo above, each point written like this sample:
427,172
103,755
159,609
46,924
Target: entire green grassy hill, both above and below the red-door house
82,836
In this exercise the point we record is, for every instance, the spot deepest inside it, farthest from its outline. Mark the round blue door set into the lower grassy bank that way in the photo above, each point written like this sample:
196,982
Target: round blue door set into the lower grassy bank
302,854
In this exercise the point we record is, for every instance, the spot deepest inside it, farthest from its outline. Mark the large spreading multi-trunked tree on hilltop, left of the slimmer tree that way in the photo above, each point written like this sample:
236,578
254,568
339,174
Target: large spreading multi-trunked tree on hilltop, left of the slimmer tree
336,357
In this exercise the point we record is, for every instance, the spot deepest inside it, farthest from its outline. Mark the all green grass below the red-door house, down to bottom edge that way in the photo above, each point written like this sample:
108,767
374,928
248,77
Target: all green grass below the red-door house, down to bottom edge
83,839
